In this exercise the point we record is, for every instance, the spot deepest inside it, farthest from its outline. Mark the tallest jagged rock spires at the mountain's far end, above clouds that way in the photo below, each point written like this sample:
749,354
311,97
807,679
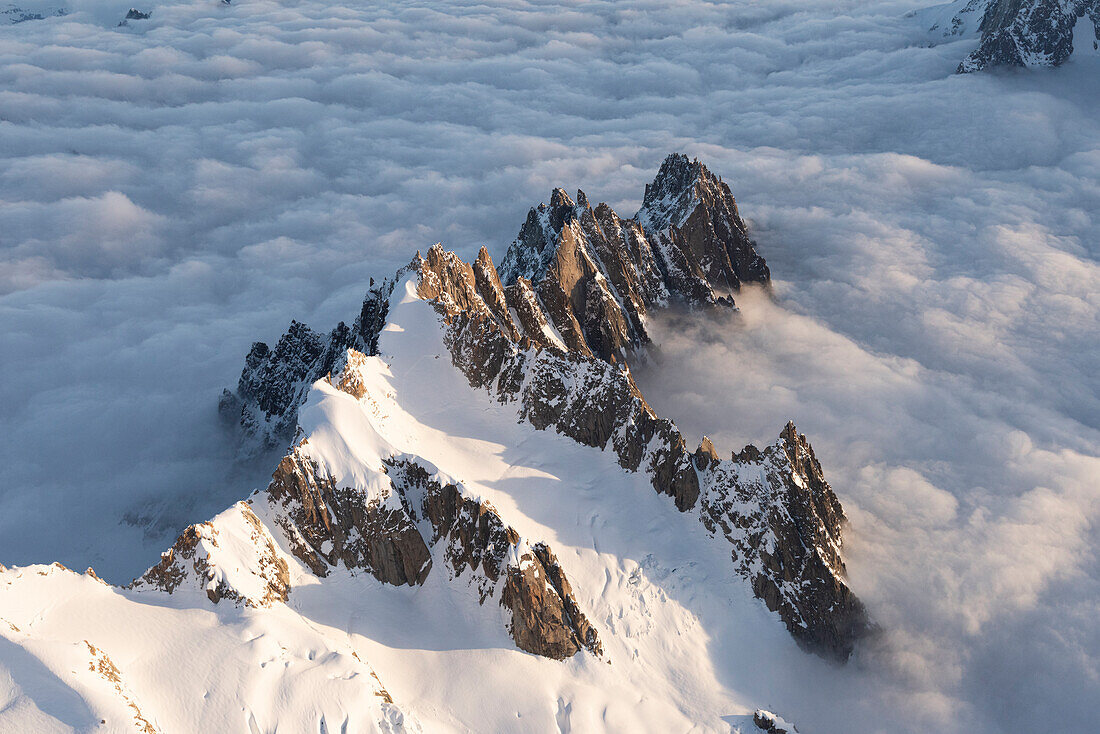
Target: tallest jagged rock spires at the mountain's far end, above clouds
596,276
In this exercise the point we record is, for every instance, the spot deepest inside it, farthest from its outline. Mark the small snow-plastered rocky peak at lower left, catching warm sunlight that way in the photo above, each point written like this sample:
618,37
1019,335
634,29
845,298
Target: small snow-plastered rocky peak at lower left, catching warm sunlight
252,573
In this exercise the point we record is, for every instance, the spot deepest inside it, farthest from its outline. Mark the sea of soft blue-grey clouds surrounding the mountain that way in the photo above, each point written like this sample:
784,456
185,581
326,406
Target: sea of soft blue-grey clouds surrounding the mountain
174,190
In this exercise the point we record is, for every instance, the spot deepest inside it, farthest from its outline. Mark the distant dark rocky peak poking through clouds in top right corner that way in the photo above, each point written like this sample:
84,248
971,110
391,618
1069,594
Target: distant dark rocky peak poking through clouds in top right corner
1027,32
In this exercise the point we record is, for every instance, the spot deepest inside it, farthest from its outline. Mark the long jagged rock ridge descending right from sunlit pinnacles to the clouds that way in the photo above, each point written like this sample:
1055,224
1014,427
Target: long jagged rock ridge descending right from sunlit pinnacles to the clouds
775,507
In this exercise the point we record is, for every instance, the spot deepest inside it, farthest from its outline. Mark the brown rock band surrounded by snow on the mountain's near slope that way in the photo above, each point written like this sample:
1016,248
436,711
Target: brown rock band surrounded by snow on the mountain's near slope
327,525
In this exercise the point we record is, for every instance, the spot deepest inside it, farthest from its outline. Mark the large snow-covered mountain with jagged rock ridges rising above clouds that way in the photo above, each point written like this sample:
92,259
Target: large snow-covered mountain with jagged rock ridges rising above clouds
476,494
